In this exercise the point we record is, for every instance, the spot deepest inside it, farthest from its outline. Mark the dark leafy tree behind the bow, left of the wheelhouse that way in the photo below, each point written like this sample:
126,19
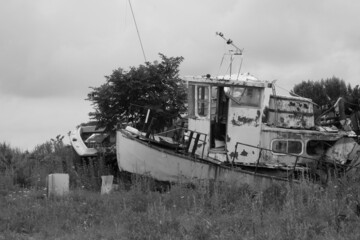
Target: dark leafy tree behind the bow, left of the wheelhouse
128,94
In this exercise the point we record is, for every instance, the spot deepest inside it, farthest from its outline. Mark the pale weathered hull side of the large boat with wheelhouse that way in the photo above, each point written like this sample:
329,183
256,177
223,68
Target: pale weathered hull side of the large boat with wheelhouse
140,157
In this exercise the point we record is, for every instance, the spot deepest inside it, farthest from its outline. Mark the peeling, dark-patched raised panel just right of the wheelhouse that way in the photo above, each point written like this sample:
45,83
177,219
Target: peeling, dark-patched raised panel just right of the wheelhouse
290,112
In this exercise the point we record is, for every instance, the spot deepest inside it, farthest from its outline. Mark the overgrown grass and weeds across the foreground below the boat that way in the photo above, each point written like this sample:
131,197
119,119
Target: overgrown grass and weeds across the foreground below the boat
282,211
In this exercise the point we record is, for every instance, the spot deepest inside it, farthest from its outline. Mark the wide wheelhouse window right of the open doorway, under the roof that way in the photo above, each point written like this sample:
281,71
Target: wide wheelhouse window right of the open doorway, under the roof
246,96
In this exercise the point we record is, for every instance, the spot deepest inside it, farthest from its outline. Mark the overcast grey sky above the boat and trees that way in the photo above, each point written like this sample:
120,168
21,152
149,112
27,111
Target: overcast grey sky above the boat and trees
52,51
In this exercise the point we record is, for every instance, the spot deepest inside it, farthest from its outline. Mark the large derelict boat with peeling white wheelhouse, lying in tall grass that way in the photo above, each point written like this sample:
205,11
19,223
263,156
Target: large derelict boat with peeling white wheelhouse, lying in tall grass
232,136
